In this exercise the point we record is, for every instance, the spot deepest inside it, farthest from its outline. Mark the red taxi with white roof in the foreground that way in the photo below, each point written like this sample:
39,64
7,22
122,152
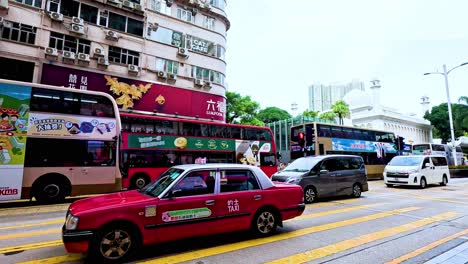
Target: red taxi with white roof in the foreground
186,201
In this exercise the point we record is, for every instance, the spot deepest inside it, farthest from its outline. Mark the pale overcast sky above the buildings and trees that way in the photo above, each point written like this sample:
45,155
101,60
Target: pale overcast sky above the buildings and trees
277,49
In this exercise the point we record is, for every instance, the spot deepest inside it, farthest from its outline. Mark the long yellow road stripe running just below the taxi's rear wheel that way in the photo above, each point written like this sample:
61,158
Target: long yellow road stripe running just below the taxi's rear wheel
197,254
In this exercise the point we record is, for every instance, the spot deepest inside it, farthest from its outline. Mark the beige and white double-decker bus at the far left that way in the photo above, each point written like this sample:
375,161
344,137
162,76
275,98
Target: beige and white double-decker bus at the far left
57,142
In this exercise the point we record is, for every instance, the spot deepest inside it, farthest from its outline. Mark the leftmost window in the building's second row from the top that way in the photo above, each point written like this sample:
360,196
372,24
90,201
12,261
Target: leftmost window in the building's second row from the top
18,32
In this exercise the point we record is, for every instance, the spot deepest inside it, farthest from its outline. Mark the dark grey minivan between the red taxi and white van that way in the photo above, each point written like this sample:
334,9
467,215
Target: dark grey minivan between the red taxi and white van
327,175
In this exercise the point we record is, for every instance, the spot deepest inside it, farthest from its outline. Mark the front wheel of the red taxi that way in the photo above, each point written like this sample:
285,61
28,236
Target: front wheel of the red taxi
115,243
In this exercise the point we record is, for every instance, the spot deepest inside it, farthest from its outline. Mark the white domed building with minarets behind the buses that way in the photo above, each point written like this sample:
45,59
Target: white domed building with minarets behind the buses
367,112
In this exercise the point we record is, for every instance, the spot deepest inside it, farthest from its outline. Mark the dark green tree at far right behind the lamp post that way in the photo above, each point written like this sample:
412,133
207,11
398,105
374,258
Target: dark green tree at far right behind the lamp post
439,118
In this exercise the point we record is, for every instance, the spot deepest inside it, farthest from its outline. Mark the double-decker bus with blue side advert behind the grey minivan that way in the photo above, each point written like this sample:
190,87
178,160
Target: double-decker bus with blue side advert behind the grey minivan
376,147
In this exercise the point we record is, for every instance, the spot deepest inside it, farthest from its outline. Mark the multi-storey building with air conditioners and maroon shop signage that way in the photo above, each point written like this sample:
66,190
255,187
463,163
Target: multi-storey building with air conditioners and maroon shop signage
164,56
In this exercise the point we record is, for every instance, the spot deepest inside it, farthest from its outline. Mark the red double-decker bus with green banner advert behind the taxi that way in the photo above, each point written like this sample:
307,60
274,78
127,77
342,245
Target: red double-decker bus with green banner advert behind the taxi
151,144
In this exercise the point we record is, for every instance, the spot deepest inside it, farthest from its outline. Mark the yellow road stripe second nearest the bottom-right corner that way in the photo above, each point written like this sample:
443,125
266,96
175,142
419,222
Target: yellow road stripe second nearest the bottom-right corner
361,240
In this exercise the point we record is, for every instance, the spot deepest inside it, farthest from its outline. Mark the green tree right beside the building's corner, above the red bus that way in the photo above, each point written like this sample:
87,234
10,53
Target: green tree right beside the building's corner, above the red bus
240,109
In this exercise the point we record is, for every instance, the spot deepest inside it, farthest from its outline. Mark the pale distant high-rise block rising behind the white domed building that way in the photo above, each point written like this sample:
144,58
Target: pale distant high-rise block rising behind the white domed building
322,97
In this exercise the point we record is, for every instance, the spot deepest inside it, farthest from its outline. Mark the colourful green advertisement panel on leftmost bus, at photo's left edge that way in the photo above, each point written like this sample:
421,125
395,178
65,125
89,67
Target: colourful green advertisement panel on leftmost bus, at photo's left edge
14,111
